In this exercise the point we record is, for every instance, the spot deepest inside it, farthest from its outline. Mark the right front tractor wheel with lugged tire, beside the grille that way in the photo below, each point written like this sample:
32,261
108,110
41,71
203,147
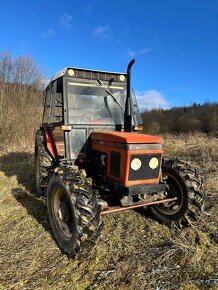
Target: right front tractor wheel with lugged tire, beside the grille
185,184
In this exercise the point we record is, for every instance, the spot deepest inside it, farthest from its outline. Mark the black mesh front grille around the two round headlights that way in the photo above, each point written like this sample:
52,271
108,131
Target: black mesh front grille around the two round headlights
144,172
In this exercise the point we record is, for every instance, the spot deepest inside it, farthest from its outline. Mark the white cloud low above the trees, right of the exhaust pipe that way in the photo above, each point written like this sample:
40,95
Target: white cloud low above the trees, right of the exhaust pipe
151,99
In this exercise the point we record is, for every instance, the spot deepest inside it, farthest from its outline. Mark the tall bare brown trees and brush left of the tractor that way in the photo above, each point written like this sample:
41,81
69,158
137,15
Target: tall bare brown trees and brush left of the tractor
20,100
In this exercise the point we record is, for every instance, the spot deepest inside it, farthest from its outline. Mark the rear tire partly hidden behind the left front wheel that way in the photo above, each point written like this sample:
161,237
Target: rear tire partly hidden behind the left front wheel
43,163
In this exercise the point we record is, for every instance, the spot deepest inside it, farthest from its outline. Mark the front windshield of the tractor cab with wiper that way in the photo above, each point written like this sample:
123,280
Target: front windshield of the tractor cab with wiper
93,102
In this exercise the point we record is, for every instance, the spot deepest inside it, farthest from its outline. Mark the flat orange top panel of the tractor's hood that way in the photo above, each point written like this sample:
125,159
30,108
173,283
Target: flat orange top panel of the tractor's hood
124,138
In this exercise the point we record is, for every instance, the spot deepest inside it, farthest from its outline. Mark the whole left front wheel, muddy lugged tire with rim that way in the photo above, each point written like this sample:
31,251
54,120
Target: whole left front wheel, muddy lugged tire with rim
73,210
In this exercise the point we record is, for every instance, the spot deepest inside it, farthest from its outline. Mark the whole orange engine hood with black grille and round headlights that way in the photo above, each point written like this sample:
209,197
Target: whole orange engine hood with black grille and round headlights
123,148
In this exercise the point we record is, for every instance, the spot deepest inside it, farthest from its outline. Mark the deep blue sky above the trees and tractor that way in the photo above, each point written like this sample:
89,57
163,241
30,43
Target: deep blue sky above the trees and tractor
174,43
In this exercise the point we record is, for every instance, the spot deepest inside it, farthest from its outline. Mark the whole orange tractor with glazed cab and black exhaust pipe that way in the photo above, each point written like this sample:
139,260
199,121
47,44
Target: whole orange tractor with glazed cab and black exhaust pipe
92,160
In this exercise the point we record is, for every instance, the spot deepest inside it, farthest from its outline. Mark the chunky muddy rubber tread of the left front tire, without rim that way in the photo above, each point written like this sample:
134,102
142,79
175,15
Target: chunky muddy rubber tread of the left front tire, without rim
86,209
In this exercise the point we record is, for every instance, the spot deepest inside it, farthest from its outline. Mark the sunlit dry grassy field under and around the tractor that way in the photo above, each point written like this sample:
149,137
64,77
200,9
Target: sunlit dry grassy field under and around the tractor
135,252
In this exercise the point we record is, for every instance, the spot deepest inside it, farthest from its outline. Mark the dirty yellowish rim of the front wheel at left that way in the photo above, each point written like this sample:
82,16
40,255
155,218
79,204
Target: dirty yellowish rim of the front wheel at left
62,212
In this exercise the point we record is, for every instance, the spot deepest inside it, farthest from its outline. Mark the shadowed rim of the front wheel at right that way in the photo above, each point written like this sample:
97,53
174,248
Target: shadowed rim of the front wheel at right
175,190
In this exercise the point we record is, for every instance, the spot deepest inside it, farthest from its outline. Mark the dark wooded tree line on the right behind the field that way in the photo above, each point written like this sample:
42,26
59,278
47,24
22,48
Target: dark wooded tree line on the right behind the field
203,118
